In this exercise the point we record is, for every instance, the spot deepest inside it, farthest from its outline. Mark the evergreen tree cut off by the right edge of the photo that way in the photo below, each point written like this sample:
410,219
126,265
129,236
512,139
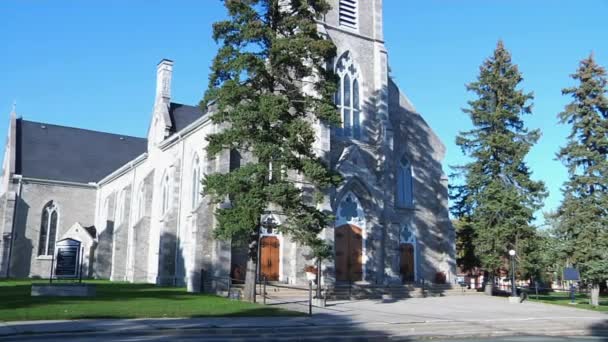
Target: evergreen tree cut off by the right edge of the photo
583,213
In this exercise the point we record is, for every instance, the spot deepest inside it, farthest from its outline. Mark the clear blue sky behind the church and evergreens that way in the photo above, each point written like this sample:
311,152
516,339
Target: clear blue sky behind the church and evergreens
91,64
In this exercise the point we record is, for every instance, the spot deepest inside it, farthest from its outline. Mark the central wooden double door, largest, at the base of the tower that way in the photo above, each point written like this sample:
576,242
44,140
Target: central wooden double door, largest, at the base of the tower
348,243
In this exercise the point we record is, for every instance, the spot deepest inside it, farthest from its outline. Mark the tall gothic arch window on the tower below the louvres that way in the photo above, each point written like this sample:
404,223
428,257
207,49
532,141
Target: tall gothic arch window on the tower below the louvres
348,97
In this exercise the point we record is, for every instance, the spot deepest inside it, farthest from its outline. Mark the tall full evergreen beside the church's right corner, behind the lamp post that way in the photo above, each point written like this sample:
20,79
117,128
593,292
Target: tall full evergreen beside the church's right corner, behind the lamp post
497,198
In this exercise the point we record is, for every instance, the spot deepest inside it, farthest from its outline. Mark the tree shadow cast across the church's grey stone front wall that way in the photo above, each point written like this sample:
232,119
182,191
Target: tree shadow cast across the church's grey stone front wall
373,176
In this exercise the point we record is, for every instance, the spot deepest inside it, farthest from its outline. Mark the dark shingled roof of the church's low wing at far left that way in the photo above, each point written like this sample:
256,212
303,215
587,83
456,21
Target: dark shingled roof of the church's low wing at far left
70,154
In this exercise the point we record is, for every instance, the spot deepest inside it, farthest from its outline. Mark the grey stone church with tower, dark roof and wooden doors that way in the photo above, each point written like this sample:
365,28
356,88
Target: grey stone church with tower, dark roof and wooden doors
136,203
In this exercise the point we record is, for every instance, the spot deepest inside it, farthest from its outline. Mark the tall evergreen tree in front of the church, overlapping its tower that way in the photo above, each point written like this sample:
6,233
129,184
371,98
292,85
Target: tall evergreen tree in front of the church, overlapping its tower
268,85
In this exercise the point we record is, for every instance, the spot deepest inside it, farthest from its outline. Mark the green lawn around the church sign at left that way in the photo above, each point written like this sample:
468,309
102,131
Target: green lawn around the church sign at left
122,300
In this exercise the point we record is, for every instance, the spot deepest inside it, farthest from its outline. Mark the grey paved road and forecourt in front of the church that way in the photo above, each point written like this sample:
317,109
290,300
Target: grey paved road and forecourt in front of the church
443,317
